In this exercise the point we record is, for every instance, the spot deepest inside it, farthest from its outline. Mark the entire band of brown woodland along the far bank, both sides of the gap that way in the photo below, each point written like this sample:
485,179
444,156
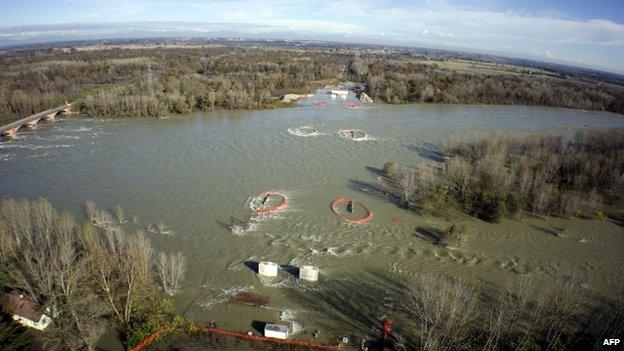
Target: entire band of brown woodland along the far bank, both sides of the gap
156,82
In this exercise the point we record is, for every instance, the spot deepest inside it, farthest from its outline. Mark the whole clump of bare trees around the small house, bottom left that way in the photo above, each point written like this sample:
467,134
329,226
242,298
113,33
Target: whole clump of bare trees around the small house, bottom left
94,276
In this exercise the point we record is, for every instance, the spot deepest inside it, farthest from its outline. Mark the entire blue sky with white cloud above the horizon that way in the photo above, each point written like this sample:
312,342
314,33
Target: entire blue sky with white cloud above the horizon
587,33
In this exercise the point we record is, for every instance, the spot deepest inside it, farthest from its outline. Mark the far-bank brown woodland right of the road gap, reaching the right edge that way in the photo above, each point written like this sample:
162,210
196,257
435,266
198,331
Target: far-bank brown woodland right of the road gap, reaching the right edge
397,81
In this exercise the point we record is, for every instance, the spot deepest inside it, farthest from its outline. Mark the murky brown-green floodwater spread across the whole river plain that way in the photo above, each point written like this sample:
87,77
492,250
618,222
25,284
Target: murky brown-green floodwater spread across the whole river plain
201,173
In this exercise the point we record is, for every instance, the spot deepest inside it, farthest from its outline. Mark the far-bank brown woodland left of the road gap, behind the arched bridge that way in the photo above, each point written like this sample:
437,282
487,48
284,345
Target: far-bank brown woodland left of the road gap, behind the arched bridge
158,82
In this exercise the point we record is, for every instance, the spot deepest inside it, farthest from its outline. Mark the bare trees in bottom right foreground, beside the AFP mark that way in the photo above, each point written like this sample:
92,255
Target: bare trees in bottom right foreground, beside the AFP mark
557,314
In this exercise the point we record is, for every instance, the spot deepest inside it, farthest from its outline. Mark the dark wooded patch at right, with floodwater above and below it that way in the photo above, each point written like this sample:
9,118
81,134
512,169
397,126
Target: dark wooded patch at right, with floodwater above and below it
505,175
